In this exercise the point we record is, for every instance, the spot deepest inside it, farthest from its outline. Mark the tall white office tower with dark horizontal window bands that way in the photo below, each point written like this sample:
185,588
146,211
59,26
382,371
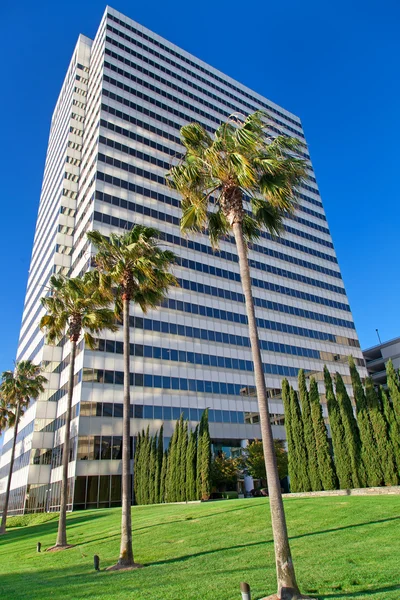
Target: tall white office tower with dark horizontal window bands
114,133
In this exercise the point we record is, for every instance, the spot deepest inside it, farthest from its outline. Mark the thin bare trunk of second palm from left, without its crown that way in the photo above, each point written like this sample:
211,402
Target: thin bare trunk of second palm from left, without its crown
62,523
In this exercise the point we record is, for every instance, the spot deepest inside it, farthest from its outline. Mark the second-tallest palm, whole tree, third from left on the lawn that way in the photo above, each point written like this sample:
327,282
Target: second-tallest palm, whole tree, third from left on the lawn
139,269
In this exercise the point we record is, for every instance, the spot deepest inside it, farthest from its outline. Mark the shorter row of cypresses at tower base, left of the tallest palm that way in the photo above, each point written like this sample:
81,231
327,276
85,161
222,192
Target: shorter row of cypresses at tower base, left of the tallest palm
181,473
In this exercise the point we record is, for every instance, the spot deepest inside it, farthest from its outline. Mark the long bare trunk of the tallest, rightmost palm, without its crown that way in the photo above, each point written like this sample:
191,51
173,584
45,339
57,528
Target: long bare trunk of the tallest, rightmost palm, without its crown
284,565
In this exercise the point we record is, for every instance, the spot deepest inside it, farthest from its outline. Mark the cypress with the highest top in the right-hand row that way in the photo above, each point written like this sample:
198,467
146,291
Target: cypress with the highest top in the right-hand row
370,457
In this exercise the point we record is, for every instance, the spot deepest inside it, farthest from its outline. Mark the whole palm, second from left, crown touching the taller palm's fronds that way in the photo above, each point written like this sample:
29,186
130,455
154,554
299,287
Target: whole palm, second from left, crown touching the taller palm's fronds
74,305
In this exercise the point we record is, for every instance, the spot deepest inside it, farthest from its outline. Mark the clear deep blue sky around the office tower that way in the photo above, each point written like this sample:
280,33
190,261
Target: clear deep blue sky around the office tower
335,64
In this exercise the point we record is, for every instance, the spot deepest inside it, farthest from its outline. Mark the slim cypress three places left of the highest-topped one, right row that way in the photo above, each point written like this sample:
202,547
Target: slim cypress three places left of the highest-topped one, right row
325,463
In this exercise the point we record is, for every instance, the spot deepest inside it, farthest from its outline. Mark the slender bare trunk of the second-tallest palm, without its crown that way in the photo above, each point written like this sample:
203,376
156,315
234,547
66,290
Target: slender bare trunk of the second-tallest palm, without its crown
126,551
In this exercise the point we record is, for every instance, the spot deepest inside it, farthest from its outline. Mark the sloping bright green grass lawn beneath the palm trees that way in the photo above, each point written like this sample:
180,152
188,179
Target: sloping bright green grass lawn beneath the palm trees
343,547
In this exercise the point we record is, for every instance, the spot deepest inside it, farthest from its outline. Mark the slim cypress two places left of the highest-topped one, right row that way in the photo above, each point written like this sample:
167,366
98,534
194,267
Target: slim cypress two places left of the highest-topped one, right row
342,464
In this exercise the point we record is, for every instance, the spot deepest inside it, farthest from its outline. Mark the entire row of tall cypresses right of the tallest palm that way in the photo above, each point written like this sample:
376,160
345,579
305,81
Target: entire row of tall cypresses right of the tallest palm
365,446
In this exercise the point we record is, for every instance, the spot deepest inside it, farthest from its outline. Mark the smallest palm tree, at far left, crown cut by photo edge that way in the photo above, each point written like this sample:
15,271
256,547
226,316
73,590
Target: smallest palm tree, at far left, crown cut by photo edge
17,389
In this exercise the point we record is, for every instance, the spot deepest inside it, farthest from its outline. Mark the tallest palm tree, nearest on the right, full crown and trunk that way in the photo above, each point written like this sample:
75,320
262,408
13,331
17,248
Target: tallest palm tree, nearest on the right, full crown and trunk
240,182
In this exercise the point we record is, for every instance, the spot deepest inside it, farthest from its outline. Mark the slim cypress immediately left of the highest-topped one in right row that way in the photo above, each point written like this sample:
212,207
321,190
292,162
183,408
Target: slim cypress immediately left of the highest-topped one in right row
351,432
